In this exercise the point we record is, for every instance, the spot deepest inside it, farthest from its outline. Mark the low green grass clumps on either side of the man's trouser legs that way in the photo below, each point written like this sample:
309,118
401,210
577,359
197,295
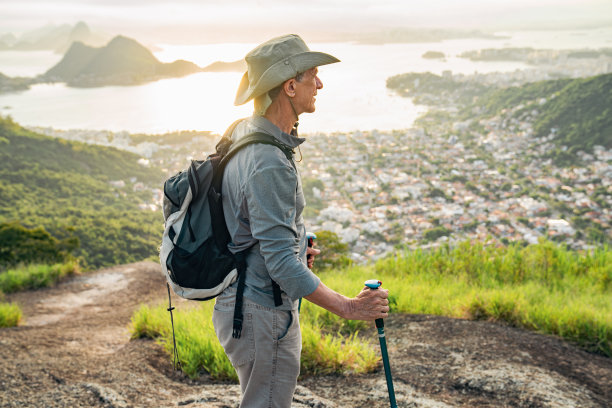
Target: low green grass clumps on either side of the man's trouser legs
199,349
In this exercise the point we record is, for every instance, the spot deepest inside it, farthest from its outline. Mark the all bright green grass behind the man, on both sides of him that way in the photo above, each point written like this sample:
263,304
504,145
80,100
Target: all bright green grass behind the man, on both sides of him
543,287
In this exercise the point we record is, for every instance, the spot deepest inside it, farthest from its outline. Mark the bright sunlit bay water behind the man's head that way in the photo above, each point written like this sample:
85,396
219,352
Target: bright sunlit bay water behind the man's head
354,94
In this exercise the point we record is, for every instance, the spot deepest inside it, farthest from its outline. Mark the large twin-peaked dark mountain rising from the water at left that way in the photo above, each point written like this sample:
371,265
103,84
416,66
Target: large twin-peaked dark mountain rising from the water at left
123,61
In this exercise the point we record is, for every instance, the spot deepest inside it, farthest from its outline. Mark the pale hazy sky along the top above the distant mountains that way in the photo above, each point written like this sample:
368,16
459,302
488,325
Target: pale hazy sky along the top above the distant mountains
213,21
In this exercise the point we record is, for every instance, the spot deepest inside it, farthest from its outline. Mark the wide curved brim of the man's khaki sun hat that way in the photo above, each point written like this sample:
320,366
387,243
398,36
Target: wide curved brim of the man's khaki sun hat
279,73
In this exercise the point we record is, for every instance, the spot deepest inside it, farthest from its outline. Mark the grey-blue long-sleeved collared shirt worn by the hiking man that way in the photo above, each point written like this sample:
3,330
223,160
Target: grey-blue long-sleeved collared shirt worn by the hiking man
263,203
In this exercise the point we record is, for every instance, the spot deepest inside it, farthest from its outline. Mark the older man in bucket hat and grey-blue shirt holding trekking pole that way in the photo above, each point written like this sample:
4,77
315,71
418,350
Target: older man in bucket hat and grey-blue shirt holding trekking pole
263,203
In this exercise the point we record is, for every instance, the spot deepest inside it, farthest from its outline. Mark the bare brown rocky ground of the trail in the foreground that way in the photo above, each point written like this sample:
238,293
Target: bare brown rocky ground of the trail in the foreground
73,350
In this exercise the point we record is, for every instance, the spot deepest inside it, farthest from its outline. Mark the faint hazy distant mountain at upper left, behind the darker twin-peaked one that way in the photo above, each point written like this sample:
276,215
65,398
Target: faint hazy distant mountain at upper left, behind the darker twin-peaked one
57,38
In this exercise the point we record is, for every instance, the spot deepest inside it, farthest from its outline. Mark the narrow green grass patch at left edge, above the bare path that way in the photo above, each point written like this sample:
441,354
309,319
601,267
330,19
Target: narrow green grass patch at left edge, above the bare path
35,276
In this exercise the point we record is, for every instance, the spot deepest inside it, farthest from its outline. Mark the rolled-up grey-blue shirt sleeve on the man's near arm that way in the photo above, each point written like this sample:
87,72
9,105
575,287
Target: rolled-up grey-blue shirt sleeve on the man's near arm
271,199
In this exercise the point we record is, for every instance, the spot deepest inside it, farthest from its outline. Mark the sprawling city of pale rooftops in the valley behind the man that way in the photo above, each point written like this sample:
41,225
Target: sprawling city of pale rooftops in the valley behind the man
485,179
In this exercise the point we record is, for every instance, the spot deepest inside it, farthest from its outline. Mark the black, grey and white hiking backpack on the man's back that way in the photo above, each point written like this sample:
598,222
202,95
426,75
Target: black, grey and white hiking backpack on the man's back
193,253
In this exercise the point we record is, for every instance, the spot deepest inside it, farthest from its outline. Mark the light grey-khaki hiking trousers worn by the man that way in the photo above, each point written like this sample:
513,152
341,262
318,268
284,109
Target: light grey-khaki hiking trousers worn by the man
266,356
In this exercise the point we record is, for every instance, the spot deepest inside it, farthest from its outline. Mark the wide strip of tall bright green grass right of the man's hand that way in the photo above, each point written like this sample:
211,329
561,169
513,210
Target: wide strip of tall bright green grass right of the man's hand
542,287
